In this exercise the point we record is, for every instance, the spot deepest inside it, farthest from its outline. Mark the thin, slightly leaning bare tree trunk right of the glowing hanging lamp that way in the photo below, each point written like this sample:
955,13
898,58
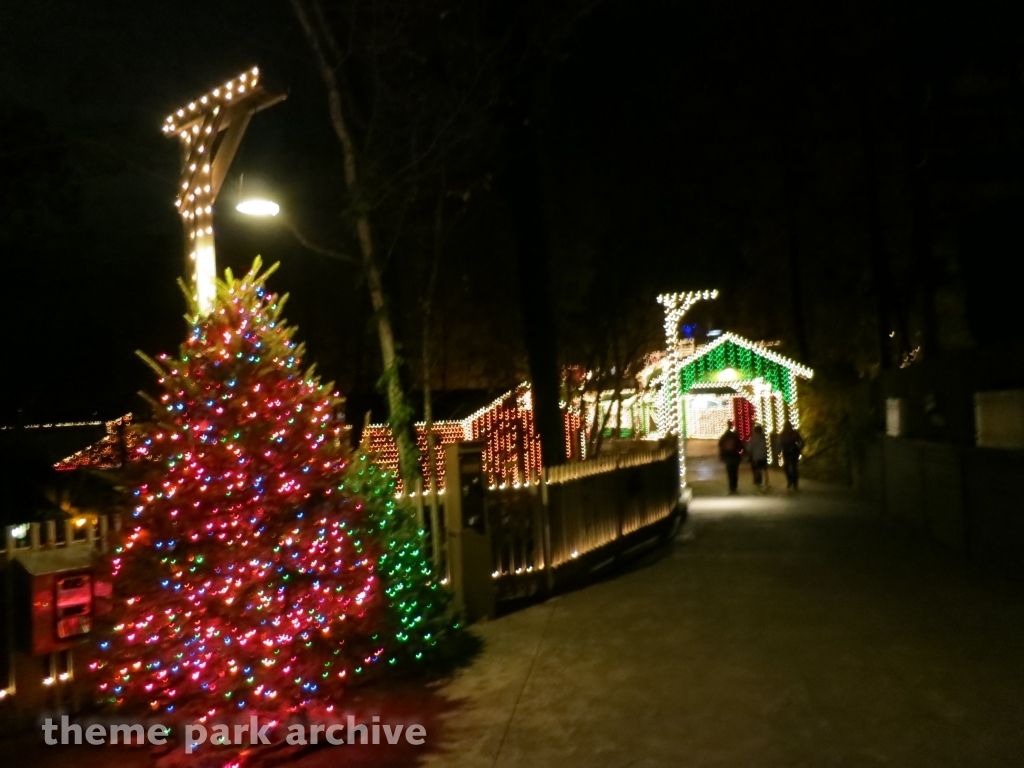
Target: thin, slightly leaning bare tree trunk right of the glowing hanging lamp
401,418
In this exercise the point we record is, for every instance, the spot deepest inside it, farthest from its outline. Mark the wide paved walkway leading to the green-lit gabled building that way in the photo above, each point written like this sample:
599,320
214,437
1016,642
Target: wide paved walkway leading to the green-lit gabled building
776,631
